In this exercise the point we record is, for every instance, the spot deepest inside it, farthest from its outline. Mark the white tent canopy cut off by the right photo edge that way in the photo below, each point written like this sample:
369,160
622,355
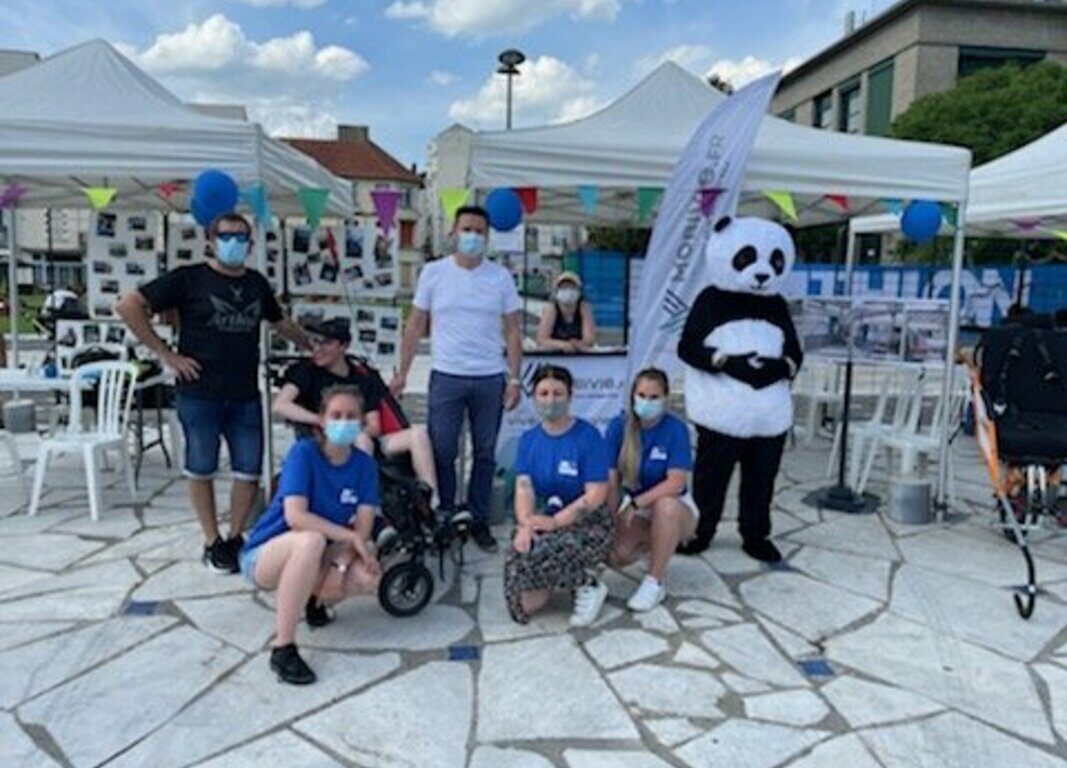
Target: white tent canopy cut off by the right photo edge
1022,195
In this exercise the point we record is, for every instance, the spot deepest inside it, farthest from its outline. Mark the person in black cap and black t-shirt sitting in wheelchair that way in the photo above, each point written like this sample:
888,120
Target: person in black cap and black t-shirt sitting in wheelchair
298,401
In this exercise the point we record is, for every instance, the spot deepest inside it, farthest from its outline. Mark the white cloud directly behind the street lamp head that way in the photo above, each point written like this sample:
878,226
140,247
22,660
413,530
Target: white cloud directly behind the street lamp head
548,90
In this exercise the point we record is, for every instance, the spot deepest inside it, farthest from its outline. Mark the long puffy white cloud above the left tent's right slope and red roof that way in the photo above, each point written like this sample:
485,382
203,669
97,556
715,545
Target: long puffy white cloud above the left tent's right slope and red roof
218,44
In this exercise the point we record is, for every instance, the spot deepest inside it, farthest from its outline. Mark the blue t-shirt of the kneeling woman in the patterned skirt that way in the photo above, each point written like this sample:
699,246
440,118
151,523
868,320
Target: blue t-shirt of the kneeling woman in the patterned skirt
562,466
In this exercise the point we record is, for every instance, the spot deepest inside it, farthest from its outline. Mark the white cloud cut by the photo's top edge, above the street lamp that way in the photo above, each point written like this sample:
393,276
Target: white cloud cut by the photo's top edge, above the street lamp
484,19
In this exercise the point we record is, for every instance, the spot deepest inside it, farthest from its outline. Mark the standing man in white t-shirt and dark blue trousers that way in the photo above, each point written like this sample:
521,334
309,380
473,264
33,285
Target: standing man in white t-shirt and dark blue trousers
472,309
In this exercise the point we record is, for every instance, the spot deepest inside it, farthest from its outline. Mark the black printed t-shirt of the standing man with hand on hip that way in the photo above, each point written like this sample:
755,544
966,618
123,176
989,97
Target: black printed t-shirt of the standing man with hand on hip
220,319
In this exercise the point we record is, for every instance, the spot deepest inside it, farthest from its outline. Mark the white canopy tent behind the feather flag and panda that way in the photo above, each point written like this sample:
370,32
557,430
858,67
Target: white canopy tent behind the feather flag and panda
638,140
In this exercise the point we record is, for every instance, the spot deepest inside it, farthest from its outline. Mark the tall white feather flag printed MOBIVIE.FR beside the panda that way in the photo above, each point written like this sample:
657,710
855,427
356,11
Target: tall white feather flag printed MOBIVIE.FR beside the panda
709,172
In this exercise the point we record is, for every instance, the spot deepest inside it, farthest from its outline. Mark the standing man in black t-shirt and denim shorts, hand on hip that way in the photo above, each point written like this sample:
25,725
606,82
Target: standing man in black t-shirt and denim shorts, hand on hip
220,306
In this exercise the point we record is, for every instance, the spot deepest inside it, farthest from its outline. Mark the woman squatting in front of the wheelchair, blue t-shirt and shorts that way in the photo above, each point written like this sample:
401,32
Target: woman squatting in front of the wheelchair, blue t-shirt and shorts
312,545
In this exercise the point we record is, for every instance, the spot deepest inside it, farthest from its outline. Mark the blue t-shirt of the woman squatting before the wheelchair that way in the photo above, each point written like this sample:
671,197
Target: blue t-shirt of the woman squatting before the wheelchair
332,492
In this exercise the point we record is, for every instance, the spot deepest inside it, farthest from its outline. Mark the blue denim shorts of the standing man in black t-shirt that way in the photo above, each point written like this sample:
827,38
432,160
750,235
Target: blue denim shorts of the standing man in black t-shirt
205,422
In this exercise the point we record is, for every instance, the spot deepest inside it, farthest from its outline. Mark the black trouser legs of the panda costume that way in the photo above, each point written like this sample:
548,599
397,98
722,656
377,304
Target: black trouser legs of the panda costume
716,456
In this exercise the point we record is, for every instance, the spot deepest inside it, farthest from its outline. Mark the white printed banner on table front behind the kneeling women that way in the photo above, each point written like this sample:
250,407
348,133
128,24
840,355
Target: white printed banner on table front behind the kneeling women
600,395
